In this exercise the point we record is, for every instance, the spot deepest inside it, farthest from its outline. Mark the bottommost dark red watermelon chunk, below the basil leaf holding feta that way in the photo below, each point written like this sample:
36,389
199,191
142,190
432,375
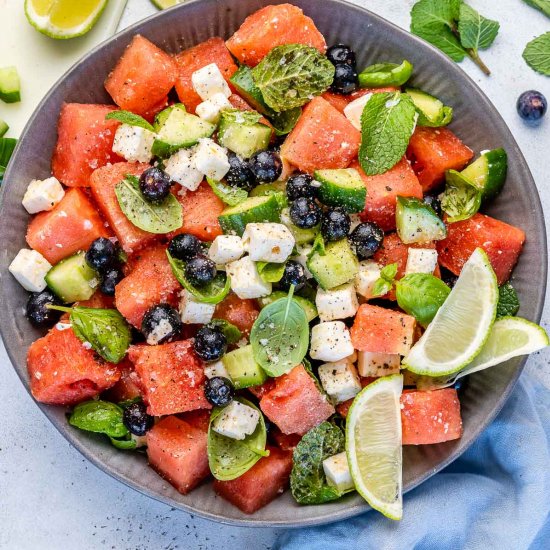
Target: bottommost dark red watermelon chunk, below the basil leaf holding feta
266,480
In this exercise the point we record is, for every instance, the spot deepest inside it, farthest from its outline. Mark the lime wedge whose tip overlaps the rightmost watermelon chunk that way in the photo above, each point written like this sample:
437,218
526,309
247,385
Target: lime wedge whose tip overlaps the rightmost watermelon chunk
462,324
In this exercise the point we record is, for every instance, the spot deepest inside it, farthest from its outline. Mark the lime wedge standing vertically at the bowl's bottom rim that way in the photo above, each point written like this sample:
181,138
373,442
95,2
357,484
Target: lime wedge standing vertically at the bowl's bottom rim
373,445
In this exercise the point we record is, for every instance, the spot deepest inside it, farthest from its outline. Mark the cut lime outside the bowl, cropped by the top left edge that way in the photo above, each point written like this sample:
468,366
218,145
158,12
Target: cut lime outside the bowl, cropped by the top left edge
63,18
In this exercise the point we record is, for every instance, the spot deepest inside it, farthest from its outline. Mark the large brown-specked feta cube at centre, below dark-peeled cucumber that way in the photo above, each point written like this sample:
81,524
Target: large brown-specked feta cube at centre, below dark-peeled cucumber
268,242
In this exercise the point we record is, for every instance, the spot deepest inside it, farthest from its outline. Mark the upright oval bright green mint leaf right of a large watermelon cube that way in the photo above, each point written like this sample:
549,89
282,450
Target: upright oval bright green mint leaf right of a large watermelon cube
387,124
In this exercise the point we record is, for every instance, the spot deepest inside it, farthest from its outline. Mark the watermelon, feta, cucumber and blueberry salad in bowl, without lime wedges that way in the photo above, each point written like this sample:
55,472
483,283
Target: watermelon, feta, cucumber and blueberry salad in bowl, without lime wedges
250,236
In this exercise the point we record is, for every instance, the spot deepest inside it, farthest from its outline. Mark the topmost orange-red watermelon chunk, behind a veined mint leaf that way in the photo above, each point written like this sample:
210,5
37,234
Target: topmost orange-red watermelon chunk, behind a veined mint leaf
270,27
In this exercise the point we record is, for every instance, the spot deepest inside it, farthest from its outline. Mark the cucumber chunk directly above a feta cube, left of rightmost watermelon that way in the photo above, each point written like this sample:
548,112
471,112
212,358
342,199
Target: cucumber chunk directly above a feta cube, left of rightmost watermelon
417,222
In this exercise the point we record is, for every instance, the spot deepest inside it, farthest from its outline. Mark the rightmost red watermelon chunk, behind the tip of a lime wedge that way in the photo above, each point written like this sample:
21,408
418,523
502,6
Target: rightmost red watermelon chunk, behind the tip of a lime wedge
502,243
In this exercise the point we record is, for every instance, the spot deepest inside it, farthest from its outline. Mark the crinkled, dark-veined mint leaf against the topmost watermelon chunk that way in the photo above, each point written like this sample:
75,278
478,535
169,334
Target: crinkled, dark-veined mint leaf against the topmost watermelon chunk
291,75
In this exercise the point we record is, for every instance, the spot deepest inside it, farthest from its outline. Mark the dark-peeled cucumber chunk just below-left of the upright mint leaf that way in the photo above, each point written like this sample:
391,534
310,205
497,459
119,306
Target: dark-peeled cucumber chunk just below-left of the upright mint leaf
342,187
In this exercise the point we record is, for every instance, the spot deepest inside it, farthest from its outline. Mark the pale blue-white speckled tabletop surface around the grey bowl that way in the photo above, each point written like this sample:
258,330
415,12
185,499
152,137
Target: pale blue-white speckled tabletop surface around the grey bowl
50,497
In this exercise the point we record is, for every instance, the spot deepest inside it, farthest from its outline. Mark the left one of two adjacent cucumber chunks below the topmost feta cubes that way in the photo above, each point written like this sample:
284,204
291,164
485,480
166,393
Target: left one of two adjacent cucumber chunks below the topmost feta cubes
180,129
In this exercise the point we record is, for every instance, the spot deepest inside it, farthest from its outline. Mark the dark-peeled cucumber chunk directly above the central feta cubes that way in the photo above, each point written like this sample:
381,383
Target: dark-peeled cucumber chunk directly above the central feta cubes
253,210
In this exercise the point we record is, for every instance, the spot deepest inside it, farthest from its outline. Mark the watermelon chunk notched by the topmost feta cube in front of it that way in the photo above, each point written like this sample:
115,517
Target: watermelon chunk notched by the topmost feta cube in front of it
195,58
